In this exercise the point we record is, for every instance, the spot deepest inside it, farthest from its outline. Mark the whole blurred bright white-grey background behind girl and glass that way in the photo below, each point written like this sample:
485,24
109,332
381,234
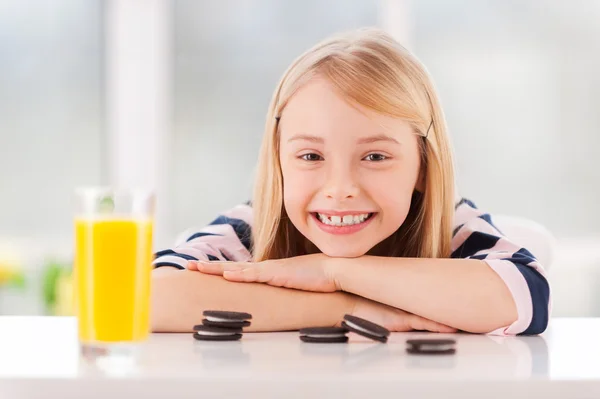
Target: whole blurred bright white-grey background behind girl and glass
160,93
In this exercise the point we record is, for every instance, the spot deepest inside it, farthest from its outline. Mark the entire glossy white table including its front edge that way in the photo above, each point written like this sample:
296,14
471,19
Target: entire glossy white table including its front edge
39,358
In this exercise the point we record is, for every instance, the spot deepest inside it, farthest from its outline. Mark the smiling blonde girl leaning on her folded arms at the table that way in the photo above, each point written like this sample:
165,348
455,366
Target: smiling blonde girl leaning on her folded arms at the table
354,211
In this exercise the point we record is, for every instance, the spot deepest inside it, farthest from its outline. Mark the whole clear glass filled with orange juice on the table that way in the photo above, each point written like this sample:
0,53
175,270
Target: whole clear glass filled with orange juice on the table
113,255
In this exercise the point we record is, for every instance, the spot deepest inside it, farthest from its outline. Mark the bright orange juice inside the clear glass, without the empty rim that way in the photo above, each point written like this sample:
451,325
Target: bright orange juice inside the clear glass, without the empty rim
112,279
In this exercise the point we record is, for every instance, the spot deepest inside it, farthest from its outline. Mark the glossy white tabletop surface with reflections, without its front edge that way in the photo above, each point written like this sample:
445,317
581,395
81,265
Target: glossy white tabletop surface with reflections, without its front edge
47,347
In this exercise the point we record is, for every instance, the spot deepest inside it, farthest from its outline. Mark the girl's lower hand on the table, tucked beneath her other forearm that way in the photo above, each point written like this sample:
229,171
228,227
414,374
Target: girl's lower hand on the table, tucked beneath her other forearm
395,319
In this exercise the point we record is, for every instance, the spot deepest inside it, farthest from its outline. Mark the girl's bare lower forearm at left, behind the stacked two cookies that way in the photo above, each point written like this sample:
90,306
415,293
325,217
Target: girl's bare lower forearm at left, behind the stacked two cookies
180,297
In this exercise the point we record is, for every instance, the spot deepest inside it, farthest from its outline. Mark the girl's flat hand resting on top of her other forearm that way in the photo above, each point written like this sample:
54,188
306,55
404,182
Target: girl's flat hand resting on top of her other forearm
308,273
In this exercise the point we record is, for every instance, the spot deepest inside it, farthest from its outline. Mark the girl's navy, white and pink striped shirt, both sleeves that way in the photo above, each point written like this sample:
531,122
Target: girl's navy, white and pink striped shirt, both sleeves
228,238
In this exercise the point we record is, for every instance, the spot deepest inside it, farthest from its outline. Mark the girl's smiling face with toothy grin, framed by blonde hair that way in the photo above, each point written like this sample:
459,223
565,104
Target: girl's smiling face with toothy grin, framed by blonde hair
348,173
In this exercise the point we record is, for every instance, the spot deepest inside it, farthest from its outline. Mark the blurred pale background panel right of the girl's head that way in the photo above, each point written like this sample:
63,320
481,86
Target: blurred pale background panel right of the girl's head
518,82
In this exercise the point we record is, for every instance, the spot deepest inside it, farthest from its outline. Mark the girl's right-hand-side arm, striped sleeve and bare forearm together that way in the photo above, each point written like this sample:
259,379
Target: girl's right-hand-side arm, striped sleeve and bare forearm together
491,285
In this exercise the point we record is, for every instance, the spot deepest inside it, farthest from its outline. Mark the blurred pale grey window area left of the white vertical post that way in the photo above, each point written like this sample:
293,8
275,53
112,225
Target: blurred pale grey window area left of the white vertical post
51,113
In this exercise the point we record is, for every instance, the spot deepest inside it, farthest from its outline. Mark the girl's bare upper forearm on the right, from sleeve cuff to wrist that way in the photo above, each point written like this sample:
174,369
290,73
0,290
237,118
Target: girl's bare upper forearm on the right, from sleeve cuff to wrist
463,293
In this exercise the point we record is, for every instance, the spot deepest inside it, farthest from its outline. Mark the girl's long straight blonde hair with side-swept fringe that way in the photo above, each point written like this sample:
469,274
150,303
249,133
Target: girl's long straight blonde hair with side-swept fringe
371,69
